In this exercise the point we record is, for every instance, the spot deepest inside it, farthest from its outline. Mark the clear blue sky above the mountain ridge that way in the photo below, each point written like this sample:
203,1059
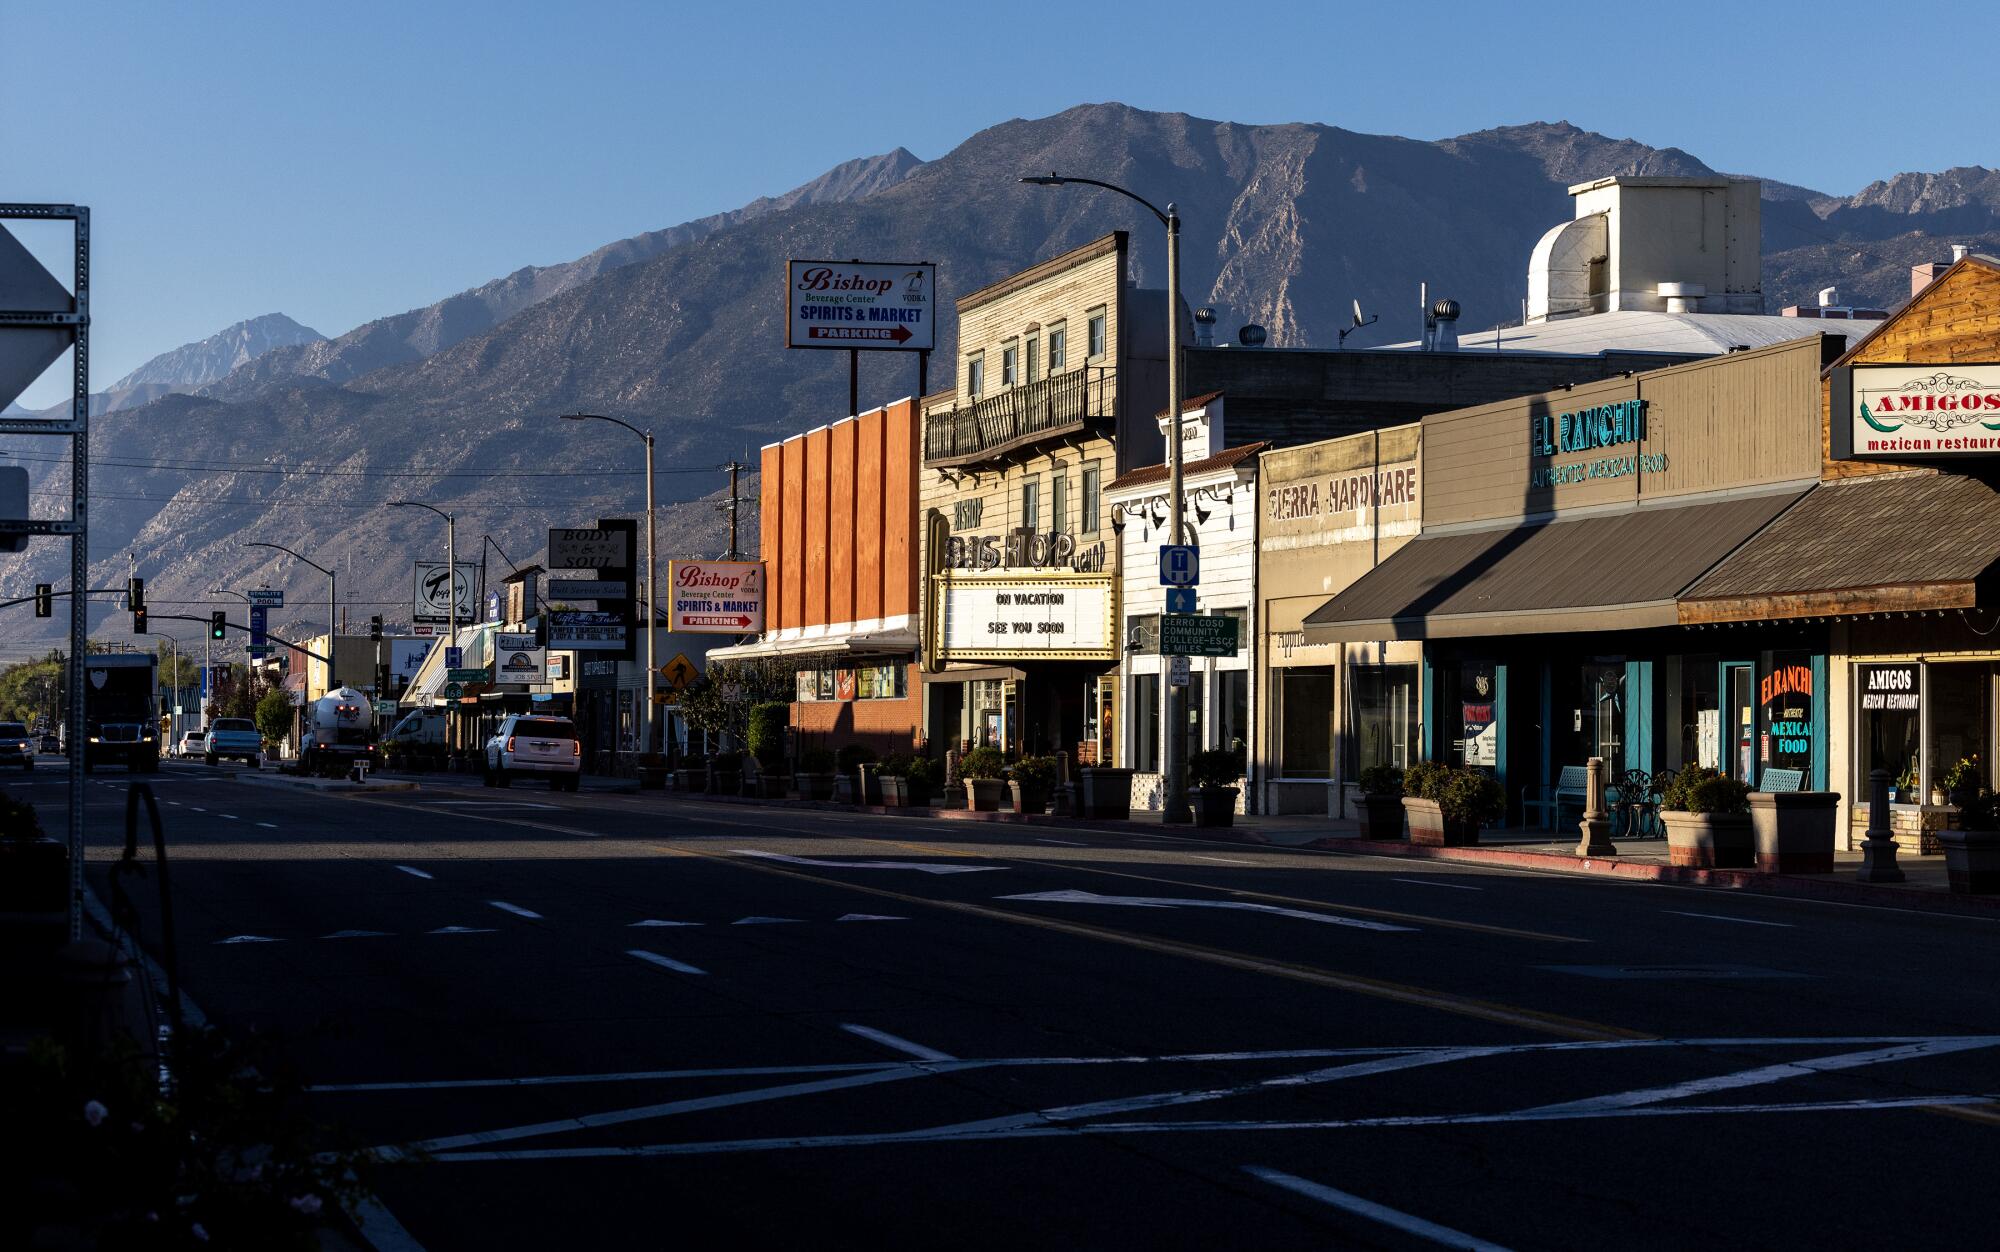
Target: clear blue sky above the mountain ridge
347,161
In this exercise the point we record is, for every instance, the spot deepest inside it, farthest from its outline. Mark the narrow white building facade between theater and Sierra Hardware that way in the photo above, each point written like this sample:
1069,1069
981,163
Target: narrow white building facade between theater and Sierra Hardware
1221,517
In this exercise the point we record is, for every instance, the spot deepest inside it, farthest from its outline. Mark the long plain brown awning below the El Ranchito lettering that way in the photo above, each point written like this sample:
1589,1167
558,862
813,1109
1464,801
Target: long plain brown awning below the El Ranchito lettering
1617,571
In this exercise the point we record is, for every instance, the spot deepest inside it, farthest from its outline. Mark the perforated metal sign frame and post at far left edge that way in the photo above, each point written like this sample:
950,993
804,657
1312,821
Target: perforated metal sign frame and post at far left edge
77,527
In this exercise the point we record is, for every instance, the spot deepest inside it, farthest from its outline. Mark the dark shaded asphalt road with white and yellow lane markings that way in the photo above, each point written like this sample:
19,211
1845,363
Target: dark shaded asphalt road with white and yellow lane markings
641,1023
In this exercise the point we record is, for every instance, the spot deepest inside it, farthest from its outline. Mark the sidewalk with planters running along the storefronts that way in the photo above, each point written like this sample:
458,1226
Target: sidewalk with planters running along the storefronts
1647,861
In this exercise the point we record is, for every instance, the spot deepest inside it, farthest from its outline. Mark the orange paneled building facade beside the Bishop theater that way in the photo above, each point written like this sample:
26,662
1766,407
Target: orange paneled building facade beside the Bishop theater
839,541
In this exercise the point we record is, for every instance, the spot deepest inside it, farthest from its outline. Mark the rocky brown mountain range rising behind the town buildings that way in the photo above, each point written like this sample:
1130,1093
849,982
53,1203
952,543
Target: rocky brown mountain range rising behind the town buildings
681,331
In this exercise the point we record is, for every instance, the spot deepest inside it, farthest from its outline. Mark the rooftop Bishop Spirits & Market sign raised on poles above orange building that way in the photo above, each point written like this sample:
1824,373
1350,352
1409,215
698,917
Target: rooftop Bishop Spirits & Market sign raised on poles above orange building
861,305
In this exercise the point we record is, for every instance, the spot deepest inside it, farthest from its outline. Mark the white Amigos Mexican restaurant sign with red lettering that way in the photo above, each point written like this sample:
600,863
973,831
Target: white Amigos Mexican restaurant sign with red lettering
1917,411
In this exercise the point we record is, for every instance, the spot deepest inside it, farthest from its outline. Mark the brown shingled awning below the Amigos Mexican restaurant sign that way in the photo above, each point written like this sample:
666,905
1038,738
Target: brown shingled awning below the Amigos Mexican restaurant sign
1887,543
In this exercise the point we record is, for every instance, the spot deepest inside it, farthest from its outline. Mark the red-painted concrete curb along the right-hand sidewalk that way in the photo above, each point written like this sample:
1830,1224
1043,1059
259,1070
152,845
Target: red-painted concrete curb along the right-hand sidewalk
1799,887
